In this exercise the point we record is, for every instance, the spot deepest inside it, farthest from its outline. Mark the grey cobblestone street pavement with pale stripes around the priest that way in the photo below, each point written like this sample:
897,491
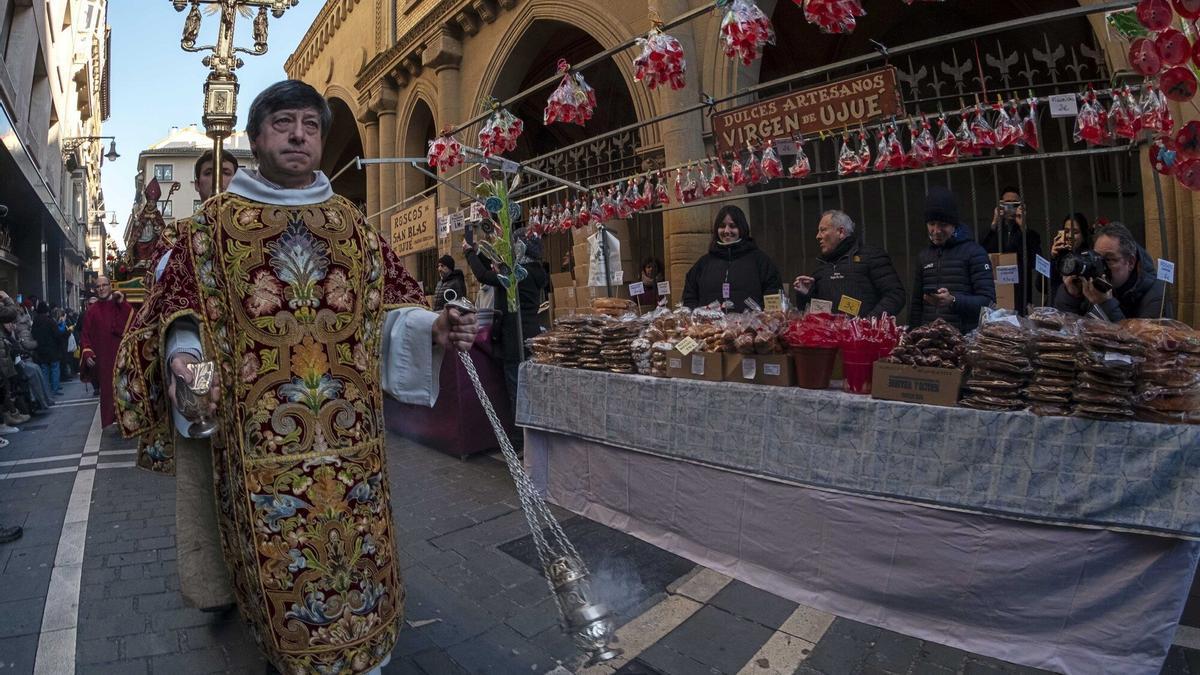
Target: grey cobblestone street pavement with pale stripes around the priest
476,600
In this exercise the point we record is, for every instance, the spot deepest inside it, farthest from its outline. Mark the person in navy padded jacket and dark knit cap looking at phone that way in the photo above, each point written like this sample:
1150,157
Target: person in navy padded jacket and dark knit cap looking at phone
953,279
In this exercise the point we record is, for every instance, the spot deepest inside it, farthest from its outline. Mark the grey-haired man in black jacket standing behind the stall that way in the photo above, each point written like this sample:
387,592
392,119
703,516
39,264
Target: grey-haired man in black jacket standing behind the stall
850,270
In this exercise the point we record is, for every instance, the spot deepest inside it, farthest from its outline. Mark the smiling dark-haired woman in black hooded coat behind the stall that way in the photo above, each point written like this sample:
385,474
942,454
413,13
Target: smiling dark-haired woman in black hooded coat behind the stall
734,270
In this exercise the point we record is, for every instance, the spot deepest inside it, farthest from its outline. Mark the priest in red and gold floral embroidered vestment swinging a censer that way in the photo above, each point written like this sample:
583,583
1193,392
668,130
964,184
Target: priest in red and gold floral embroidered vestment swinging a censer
310,319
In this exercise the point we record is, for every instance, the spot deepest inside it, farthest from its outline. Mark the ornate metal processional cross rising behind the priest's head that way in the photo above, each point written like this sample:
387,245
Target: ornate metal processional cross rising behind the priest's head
221,86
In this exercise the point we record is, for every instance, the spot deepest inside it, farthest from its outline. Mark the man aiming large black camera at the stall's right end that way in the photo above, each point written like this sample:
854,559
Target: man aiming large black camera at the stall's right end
1109,283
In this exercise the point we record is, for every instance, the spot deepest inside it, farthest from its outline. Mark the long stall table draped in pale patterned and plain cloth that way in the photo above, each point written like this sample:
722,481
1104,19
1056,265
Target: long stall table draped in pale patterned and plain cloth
1059,543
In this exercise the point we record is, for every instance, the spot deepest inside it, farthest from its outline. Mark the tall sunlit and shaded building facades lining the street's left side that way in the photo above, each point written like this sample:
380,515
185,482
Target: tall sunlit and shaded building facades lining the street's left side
53,97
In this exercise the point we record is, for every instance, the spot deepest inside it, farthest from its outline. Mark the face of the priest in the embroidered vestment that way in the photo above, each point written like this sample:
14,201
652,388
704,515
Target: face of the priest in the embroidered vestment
289,147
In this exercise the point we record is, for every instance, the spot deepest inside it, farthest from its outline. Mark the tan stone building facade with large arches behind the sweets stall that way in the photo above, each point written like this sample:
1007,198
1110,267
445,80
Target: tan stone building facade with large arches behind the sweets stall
398,71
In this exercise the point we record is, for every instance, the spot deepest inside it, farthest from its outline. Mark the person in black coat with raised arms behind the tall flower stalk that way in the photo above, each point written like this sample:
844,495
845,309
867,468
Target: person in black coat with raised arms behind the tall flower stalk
507,331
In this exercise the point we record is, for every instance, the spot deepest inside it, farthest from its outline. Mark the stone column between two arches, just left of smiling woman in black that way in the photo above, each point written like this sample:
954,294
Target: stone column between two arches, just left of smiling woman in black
687,232
